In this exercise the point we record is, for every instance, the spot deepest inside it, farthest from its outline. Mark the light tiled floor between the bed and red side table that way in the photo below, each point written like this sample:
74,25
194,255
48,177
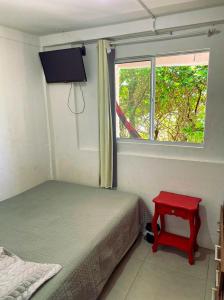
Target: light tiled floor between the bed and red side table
165,275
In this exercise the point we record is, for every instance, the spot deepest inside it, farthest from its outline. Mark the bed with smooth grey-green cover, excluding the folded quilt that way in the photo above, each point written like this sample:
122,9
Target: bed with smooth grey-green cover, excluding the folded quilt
87,230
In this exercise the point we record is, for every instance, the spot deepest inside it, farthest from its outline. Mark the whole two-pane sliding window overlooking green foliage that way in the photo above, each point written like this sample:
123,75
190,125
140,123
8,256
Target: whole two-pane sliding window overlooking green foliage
162,98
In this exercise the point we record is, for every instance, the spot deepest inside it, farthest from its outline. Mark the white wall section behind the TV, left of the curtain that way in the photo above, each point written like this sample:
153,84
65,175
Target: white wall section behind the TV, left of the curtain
75,138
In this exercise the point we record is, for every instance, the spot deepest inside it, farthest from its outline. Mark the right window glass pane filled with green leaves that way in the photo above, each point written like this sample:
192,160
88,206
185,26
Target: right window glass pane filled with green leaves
181,92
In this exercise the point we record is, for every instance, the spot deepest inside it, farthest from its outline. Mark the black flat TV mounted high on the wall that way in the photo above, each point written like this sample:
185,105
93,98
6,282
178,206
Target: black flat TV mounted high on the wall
63,65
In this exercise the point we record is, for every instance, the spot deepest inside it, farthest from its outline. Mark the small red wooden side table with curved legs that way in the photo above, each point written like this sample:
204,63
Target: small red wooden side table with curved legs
181,206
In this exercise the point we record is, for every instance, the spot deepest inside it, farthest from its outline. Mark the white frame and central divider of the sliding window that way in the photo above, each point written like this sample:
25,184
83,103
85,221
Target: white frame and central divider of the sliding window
152,59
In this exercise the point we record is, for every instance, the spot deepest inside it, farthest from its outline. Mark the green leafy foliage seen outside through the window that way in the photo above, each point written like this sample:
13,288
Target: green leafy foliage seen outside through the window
180,106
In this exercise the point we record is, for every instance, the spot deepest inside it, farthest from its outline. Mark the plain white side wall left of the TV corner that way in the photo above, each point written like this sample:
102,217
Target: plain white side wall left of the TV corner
24,153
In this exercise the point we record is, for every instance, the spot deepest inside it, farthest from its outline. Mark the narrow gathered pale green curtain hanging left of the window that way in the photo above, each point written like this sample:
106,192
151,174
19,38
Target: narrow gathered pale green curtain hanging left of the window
106,130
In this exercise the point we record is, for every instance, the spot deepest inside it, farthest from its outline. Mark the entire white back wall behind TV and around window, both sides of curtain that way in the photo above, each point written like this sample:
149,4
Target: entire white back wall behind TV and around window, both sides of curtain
144,168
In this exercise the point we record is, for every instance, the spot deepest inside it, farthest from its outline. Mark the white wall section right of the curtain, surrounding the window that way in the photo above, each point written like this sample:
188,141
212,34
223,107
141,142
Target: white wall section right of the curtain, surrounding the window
148,169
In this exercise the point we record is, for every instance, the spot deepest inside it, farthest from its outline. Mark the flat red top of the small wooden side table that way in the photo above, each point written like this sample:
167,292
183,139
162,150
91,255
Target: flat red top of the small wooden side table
178,201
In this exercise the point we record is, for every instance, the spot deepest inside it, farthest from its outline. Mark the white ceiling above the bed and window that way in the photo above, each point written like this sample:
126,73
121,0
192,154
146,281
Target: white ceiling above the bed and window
43,17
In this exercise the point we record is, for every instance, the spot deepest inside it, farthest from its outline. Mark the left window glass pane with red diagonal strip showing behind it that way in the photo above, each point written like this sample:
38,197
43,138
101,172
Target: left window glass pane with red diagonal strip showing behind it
133,99
